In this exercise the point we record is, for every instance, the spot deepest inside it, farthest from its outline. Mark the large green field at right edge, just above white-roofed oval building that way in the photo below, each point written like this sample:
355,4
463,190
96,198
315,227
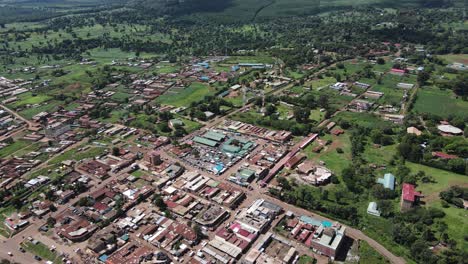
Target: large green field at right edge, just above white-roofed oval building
439,102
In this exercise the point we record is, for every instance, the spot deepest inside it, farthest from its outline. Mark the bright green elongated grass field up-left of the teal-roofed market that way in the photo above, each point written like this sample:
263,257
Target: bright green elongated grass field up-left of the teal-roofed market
194,93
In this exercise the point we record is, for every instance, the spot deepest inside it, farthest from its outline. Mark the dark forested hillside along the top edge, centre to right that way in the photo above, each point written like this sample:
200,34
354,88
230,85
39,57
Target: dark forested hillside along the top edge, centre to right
240,10
